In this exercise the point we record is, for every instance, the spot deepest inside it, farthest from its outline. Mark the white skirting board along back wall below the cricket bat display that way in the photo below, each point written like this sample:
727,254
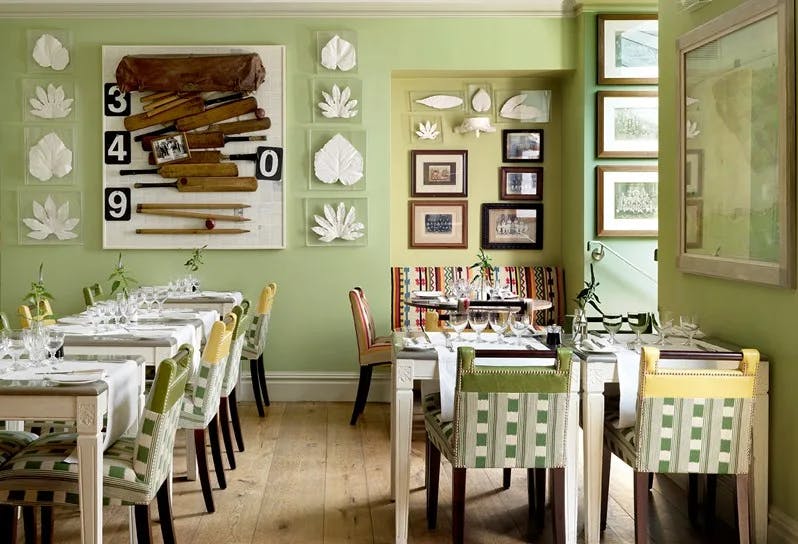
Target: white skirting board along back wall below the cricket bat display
287,386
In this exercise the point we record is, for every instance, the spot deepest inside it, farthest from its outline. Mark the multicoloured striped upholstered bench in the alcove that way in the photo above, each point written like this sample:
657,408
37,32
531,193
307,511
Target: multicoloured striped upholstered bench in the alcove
541,282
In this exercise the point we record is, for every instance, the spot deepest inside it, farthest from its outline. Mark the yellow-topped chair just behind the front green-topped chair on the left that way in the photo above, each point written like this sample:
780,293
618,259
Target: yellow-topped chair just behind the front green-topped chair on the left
201,404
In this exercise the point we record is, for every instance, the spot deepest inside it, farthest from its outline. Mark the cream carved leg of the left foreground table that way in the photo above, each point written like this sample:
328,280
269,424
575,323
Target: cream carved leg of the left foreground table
90,477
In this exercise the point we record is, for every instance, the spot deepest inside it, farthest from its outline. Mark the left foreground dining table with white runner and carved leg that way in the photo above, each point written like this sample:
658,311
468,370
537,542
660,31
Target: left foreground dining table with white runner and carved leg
103,395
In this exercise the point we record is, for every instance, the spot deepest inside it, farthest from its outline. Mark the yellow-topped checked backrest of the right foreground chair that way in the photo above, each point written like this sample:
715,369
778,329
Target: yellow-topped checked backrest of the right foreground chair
695,420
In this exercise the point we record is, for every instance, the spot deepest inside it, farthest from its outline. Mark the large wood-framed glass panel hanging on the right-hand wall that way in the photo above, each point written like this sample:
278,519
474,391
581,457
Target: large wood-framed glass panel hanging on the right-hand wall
737,145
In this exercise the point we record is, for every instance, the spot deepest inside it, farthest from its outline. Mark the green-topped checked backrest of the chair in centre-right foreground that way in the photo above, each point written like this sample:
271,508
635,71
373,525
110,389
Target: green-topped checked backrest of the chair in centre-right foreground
514,416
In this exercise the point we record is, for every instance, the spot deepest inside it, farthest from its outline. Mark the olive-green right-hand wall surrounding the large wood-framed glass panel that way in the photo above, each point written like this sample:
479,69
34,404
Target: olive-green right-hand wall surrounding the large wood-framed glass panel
747,314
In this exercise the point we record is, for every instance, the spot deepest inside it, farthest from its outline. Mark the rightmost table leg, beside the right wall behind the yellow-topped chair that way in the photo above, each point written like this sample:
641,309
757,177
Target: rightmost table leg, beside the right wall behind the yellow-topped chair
759,473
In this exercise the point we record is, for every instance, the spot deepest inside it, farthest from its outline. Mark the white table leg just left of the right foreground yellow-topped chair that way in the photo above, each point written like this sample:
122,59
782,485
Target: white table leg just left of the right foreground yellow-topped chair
593,433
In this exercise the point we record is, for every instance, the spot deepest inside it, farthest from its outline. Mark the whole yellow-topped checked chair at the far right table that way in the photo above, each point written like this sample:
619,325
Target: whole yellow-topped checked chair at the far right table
694,421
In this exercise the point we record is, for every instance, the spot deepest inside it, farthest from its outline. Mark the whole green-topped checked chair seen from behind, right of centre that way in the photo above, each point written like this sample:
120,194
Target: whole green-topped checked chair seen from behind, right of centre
504,417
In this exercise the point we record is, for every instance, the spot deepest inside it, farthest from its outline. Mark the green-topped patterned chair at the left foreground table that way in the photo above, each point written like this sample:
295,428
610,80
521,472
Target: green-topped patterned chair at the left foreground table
135,469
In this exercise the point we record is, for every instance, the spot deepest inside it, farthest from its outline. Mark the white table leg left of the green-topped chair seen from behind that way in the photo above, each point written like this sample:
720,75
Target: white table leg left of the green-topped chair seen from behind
402,427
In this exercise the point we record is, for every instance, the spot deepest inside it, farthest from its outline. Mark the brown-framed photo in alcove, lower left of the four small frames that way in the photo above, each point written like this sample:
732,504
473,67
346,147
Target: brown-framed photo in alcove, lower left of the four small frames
438,224
